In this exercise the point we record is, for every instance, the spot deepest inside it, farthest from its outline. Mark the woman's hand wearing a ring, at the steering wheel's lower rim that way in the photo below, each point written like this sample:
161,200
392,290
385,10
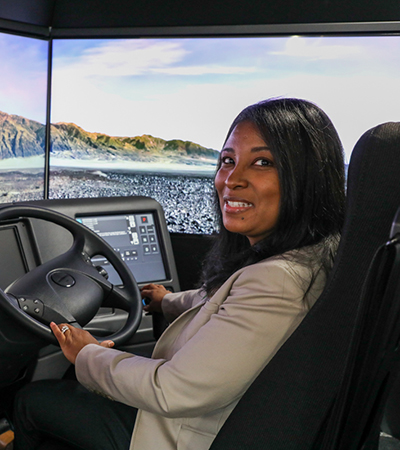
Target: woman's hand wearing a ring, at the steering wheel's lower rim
72,340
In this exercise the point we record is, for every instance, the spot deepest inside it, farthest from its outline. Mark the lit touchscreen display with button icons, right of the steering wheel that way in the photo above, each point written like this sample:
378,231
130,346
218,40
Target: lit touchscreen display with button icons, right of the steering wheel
135,238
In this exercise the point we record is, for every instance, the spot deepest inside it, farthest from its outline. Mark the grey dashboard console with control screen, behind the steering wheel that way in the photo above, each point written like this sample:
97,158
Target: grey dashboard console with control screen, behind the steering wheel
134,226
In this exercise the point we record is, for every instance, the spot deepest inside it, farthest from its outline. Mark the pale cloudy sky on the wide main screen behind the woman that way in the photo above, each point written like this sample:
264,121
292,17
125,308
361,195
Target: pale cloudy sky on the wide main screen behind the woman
192,89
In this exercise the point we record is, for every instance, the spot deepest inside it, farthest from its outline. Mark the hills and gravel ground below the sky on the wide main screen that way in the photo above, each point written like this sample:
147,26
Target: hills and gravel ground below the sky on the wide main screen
178,174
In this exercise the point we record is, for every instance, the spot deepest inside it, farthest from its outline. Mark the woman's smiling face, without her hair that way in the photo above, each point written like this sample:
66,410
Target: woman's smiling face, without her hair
247,184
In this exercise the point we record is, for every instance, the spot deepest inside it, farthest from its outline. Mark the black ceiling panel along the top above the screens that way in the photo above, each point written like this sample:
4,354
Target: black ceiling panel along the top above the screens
92,14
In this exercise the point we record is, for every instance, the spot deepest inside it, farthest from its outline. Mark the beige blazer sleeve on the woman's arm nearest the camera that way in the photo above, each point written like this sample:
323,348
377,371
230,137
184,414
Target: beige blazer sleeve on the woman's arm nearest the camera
214,367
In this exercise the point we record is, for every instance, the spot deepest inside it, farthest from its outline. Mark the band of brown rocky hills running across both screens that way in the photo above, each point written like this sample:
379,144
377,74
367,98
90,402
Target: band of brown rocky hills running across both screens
23,137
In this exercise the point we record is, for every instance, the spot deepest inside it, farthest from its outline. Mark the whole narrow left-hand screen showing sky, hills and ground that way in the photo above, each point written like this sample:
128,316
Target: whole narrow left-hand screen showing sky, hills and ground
23,82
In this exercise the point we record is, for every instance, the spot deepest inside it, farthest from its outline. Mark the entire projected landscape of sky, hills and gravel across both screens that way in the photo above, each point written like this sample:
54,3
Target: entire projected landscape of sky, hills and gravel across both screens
149,116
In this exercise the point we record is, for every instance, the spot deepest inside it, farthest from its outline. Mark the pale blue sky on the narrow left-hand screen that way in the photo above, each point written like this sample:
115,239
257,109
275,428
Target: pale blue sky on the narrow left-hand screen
23,76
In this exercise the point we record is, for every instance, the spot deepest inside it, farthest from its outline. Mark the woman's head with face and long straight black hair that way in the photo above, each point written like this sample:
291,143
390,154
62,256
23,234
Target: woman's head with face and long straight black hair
283,160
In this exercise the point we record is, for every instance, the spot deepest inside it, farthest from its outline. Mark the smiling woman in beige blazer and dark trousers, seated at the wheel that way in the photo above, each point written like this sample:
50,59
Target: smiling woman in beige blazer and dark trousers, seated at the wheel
280,200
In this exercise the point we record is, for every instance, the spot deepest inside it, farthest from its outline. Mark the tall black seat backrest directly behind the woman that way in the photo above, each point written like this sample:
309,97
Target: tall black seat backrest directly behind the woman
287,406
